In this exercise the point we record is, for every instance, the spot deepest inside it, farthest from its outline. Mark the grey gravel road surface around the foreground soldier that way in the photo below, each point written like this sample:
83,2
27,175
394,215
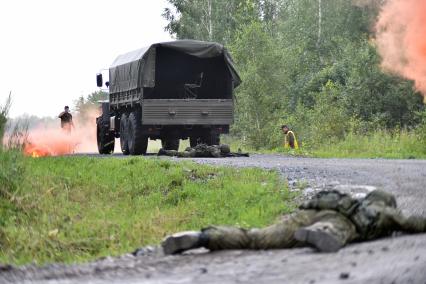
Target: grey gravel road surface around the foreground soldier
399,259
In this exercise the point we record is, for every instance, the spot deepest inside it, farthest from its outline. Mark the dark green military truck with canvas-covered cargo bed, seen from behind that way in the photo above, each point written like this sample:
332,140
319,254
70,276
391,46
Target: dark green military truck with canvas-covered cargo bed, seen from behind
169,91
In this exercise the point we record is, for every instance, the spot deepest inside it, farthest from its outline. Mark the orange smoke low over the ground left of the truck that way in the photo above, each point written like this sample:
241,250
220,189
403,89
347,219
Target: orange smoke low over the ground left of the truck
51,140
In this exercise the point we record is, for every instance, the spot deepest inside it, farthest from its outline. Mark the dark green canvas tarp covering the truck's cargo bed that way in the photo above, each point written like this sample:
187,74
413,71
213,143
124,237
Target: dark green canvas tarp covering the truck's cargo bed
137,69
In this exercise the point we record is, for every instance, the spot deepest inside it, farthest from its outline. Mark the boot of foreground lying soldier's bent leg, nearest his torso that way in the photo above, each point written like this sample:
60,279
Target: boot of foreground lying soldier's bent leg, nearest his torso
321,235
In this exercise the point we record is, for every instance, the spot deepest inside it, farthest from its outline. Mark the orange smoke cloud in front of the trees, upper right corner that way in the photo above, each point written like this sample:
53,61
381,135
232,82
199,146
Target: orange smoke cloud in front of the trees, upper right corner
401,39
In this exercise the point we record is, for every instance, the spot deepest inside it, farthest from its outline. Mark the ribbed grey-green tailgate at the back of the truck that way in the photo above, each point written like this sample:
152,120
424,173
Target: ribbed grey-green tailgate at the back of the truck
187,112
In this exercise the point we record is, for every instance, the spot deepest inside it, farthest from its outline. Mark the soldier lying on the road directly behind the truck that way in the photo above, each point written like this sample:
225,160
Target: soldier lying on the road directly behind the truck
203,150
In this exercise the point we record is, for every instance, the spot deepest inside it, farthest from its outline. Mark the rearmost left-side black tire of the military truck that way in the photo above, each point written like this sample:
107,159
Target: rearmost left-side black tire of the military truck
138,143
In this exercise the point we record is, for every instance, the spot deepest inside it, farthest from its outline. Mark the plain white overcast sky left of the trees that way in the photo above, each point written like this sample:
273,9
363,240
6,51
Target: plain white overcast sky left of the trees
50,51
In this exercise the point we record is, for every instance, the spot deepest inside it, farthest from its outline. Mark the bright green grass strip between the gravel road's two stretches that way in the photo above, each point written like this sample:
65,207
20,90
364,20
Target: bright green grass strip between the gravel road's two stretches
76,209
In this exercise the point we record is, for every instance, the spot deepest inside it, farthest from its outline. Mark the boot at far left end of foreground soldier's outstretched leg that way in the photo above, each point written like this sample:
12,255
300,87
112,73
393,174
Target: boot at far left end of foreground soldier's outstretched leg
182,241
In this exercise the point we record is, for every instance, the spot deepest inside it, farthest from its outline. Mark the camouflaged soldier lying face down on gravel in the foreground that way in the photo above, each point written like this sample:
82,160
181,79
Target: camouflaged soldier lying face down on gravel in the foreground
327,222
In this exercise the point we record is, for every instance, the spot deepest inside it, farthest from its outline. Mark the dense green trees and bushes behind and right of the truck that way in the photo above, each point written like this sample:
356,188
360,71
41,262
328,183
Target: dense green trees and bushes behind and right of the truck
311,64
